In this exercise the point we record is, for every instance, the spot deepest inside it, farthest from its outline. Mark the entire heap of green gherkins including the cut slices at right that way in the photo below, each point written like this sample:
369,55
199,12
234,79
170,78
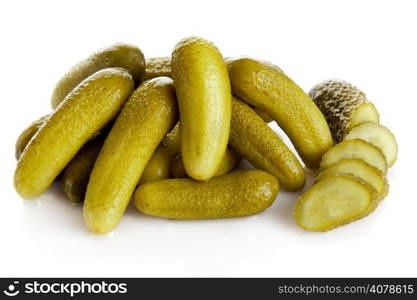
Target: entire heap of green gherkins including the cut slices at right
170,130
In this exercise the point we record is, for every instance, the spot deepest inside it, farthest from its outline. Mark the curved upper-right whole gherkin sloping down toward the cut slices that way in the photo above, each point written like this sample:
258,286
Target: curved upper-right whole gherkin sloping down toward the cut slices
266,87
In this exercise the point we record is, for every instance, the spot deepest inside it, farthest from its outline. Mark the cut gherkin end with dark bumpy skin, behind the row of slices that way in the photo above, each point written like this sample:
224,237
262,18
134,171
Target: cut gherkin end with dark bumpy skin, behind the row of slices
343,105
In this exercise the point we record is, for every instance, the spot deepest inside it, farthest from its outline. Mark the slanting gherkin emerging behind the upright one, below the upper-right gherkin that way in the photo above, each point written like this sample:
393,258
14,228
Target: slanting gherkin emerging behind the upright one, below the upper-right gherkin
252,138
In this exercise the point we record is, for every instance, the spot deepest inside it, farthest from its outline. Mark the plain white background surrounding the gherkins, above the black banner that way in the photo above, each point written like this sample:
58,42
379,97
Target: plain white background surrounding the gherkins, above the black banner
369,43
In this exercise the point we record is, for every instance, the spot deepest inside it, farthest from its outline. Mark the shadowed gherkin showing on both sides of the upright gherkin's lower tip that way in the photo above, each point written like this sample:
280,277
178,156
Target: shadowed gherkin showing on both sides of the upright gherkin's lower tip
230,160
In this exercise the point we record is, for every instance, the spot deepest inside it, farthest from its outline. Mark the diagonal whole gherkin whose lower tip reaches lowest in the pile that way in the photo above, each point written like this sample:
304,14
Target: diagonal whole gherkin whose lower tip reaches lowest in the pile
148,115
